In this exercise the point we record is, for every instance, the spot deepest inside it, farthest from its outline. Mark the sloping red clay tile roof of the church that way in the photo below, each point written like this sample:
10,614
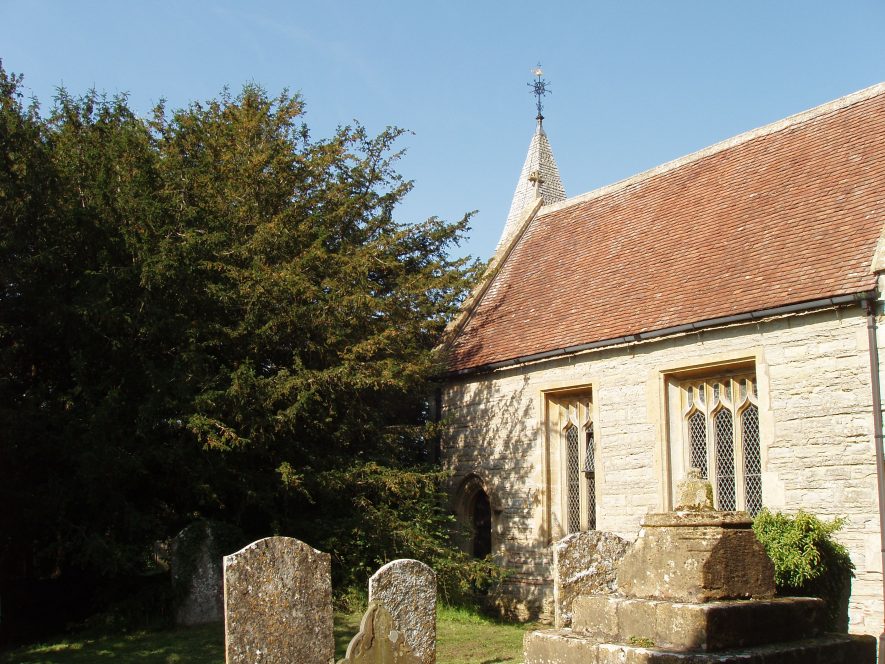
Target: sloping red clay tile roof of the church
785,214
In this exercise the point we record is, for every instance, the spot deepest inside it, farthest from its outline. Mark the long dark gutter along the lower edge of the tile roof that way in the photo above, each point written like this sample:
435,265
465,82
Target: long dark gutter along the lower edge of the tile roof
747,317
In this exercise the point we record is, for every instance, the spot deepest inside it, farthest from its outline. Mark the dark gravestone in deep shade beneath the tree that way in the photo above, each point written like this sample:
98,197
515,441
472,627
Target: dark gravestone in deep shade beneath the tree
196,575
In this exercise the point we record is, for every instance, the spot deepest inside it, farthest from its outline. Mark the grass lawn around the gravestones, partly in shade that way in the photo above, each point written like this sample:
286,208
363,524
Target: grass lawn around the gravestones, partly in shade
463,637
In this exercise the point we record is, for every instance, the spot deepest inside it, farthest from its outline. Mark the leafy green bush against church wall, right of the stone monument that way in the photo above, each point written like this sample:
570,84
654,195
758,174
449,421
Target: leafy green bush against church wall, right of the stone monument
808,561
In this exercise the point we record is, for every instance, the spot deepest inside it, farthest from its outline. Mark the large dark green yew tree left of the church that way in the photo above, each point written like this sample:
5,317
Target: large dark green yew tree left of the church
209,314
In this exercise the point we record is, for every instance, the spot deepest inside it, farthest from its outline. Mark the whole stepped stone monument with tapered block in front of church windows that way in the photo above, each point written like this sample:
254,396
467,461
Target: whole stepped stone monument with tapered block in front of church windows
697,587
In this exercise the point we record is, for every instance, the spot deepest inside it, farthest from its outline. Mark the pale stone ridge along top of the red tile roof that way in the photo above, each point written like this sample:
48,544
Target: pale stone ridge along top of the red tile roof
771,128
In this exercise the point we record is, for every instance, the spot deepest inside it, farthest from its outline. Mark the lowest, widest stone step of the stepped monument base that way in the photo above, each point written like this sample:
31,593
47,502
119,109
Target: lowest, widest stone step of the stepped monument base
563,646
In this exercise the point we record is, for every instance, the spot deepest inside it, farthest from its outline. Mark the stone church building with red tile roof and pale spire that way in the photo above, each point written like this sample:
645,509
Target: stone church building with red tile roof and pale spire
722,311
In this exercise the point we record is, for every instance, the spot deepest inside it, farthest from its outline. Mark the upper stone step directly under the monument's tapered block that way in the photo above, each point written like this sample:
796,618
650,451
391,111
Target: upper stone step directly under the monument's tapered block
704,627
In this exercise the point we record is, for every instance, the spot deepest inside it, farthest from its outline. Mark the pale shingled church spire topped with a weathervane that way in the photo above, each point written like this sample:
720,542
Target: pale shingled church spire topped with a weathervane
540,175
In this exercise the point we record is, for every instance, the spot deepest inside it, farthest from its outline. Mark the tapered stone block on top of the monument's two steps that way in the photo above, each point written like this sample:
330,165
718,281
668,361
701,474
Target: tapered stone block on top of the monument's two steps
696,557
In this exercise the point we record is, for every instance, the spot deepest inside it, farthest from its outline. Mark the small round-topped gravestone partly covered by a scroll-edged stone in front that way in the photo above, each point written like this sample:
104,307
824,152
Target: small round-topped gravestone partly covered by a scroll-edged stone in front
407,590
